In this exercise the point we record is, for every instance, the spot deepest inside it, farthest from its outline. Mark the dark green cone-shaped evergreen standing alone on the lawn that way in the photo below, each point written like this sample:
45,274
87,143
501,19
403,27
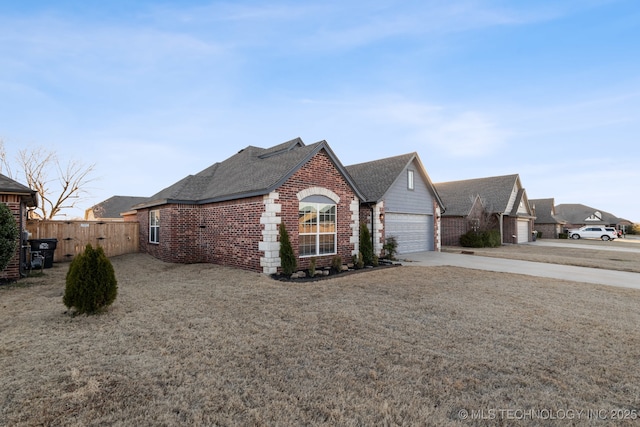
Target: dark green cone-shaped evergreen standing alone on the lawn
91,283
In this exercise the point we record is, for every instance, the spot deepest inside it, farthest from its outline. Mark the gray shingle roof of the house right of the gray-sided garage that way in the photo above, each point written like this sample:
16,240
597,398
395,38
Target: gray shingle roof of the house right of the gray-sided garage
495,192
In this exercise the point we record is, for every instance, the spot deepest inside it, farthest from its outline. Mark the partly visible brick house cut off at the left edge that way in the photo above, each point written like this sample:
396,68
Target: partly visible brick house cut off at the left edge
18,198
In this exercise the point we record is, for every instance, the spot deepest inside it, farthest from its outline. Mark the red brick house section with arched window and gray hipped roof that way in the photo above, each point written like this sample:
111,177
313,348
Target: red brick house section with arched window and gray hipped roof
230,212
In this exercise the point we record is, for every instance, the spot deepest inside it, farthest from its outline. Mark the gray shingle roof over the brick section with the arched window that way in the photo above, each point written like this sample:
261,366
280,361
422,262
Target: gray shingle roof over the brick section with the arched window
252,171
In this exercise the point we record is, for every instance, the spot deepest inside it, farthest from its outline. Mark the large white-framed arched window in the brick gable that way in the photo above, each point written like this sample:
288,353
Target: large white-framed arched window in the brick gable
317,226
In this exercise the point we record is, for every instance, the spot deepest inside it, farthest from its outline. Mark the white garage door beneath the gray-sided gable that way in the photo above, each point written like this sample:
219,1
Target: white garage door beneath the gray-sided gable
414,232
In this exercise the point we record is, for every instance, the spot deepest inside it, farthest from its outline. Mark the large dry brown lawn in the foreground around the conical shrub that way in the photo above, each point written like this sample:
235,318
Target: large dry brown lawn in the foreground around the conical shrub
209,345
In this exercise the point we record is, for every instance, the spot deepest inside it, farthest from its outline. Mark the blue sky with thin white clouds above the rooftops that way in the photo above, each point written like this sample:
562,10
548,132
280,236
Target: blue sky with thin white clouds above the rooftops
151,91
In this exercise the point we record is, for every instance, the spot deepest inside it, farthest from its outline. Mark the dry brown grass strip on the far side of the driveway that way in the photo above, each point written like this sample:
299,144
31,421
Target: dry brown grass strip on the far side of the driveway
591,255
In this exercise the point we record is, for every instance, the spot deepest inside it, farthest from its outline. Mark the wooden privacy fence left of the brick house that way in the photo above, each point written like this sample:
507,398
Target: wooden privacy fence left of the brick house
115,238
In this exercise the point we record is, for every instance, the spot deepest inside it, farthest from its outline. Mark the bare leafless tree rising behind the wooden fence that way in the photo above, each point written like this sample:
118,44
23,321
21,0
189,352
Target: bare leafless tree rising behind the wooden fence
58,186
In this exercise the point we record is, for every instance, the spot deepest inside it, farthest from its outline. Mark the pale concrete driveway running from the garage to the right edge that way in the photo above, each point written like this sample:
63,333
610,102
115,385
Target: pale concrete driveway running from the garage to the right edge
555,271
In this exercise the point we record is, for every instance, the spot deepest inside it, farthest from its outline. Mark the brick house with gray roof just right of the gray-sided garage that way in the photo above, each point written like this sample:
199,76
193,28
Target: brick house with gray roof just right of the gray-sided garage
498,202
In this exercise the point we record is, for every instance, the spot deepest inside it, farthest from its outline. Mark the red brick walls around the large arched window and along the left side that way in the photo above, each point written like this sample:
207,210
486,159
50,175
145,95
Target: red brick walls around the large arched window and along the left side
229,233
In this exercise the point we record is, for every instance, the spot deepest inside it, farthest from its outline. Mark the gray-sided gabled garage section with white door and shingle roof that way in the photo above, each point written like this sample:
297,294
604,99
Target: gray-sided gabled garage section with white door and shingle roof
400,201
